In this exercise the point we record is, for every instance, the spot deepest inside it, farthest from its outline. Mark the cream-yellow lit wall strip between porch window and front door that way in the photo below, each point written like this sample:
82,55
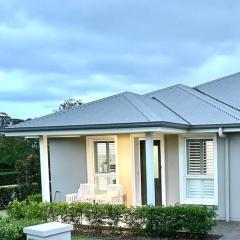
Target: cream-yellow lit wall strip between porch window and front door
125,169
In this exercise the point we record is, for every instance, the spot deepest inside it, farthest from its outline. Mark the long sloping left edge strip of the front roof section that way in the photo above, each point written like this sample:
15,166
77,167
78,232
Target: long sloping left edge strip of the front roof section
68,110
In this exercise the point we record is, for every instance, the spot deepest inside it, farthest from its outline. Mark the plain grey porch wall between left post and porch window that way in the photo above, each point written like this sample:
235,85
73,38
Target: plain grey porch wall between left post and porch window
68,165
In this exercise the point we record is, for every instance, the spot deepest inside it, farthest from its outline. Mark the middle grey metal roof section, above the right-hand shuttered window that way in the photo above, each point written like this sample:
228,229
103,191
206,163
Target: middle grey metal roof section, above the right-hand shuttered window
194,107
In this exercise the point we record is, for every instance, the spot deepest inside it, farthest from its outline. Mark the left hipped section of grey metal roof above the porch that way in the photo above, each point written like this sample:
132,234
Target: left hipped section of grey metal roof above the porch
122,108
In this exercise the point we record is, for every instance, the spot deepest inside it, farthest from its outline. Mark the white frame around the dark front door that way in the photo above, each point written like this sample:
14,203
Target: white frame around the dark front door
137,193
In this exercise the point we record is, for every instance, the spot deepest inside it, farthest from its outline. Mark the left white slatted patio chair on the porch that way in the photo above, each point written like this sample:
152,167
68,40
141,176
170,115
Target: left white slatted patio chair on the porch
85,193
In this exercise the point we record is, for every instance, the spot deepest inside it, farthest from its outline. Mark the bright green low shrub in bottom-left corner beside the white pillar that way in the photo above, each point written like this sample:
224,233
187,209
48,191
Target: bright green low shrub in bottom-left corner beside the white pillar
12,229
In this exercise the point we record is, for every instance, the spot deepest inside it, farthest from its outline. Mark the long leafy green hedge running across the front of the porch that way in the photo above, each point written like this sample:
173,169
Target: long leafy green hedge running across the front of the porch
145,221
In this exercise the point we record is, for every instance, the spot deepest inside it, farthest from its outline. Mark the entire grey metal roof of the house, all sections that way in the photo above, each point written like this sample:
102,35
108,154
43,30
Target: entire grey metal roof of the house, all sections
210,104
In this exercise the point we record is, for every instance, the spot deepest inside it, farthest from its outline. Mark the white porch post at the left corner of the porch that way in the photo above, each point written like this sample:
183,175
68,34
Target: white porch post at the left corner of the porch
44,161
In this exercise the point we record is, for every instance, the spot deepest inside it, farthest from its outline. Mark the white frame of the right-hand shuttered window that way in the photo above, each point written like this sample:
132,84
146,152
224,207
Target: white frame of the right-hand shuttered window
183,170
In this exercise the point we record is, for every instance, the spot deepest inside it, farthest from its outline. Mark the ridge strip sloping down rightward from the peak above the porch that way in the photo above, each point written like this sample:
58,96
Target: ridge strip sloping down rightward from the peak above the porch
133,100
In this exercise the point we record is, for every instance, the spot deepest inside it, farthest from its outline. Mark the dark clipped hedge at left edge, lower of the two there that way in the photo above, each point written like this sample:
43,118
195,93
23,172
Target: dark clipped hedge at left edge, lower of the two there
7,194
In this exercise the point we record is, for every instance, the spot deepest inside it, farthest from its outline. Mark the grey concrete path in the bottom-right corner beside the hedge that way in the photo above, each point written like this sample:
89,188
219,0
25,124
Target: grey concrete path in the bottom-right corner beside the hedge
230,231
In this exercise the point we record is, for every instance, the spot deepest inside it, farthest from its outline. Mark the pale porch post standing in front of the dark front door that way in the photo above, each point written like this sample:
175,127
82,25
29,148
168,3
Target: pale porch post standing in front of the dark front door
150,169
